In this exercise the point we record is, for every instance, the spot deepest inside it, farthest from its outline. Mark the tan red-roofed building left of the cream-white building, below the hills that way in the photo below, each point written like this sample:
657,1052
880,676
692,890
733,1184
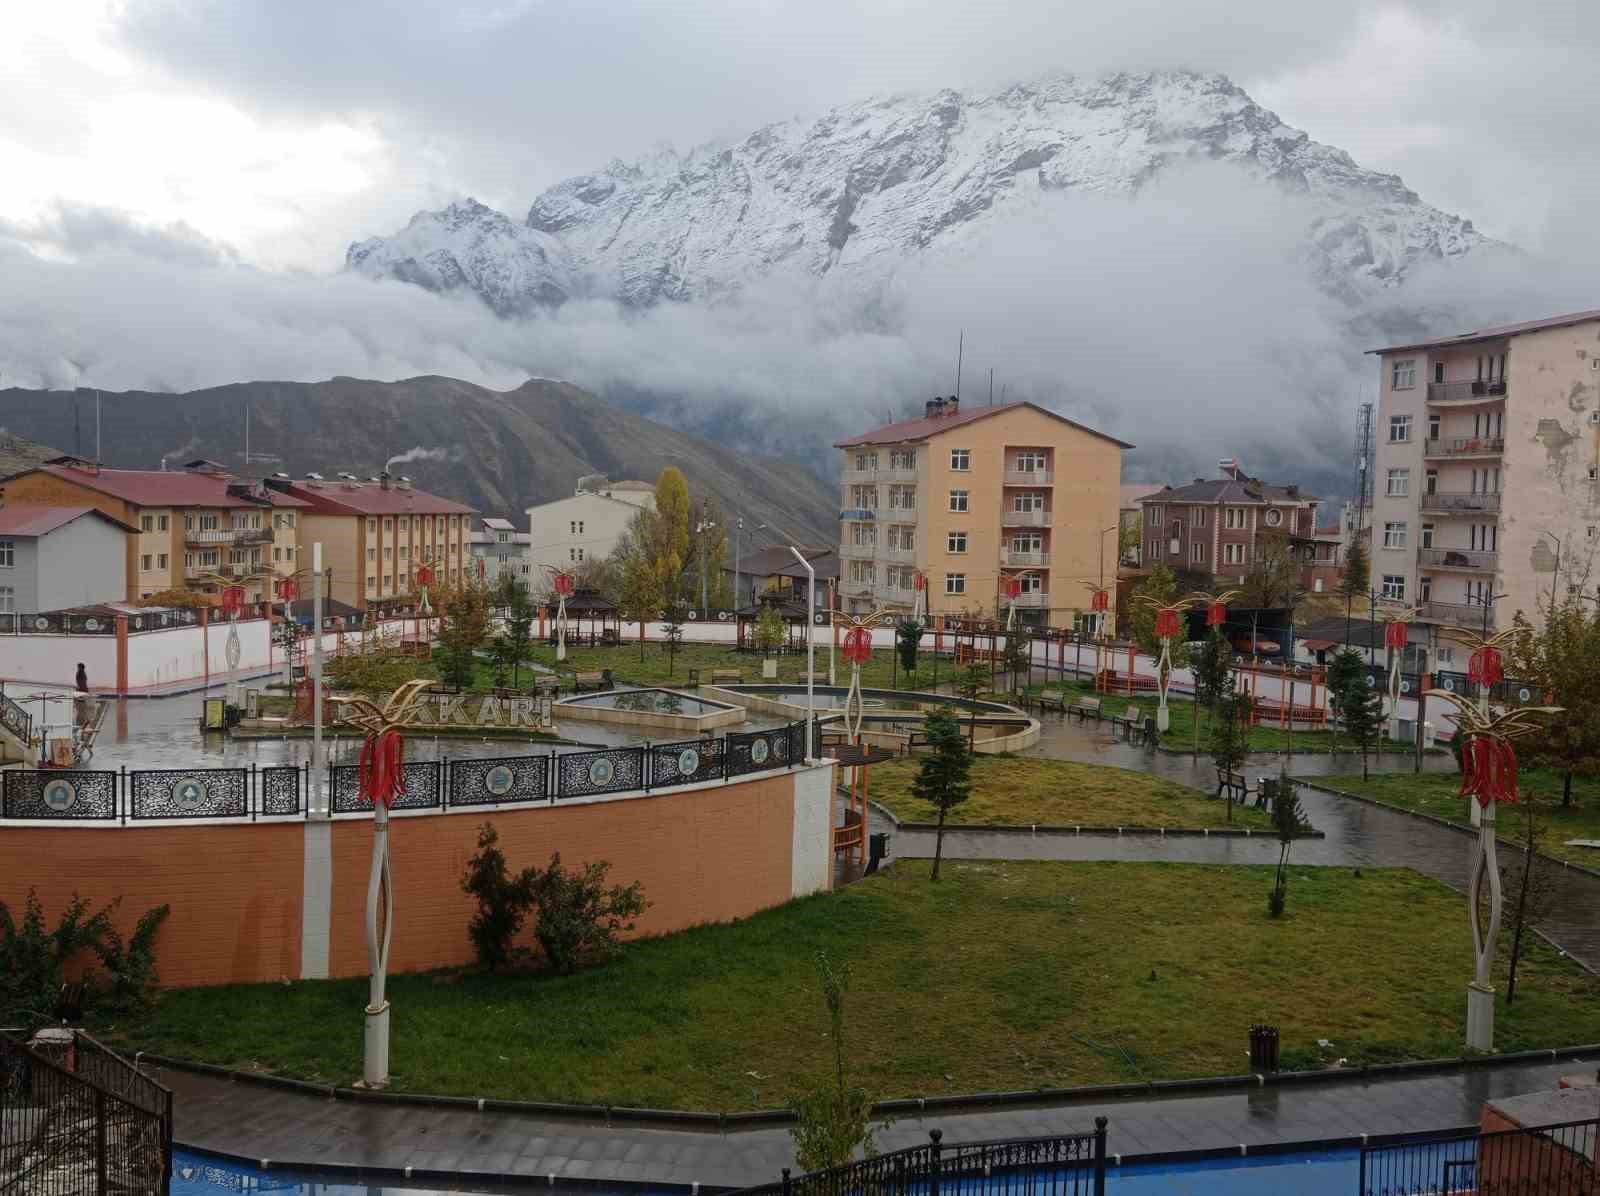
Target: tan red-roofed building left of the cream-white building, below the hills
377,533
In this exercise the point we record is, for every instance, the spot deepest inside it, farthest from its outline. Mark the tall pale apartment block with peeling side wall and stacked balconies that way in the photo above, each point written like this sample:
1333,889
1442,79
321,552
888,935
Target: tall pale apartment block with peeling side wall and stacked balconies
1486,490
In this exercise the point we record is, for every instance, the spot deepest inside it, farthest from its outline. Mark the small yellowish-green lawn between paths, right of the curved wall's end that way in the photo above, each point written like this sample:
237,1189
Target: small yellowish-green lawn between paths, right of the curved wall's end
1030,791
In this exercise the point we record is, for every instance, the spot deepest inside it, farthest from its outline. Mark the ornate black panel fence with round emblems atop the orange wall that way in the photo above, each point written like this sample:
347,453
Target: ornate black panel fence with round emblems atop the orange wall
274,792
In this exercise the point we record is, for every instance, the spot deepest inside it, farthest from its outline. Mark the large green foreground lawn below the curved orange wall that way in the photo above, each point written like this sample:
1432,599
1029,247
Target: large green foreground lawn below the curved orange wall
1002,976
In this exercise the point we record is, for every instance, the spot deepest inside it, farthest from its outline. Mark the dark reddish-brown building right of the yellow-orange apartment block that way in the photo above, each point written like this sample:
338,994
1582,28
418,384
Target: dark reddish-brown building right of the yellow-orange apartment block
1222,527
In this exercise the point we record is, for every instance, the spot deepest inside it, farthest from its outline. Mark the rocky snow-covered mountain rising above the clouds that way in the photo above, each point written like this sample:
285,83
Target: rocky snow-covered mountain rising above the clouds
871,186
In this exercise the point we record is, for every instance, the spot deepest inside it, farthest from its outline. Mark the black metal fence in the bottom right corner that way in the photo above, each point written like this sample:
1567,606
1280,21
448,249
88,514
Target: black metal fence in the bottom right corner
1550,1160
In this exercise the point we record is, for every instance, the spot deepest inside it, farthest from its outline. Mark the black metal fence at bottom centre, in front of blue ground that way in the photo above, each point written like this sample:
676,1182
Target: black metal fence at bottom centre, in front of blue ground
1071,1165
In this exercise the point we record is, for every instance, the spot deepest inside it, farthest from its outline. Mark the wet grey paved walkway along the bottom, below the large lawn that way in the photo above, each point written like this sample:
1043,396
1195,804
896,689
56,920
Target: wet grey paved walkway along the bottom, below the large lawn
257,1123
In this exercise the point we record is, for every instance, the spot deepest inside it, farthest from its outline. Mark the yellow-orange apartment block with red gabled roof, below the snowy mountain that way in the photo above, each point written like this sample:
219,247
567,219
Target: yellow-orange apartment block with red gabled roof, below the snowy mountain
974,498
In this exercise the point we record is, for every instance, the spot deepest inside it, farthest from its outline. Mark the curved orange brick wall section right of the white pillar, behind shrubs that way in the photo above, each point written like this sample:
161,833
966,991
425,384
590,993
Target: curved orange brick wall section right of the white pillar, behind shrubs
703,856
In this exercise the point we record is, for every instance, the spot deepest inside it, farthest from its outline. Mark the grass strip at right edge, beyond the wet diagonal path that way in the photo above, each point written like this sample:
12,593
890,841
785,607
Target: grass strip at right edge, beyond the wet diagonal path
1438,794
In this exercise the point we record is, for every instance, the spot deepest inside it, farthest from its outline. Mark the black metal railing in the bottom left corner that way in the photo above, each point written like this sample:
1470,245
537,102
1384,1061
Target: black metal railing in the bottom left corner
81,1118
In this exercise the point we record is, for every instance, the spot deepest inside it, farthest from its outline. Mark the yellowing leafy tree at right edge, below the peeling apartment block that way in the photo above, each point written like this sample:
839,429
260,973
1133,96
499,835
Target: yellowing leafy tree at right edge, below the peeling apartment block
1564,660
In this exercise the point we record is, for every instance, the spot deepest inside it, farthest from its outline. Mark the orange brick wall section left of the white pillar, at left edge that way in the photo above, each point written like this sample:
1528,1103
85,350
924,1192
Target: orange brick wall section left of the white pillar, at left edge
234,891
